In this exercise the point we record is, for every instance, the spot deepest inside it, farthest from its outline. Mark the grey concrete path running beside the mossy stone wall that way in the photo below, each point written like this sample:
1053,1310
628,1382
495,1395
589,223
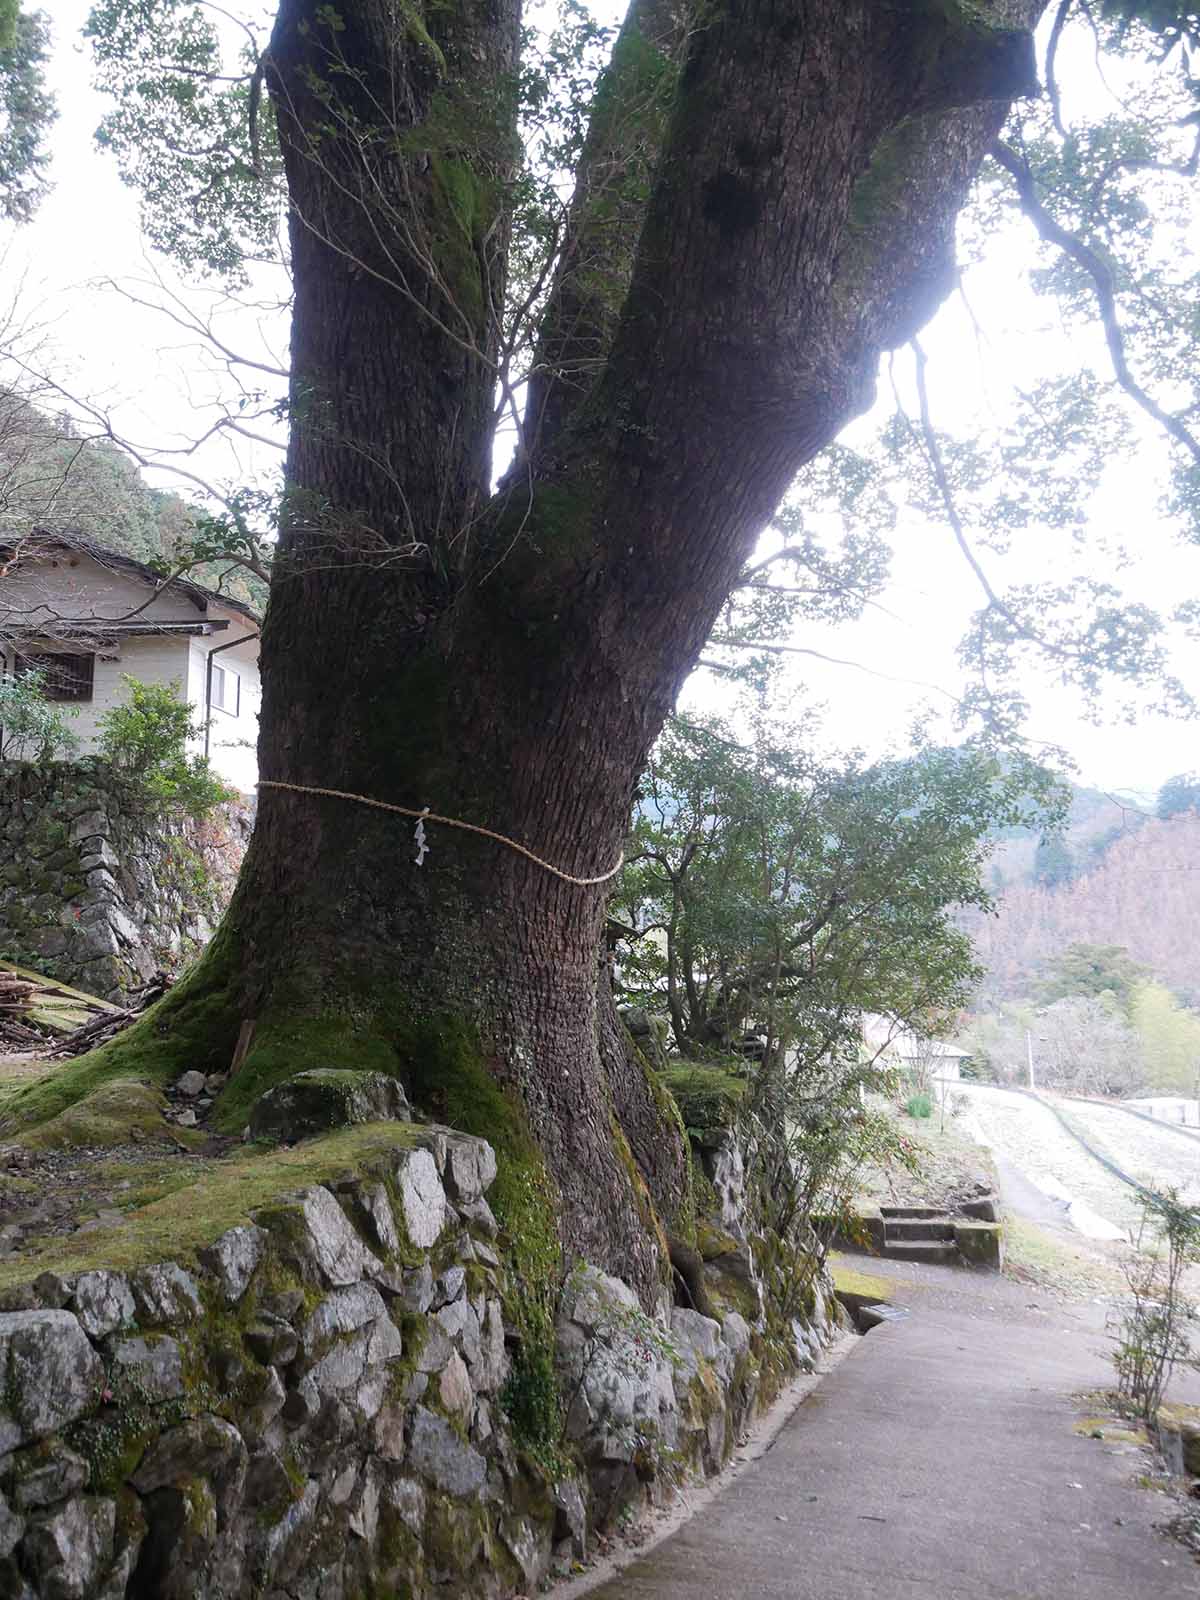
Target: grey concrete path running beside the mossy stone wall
937,1463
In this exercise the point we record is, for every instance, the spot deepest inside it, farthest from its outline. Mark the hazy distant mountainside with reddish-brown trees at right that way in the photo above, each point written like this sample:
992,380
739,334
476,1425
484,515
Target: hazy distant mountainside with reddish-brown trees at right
1137,886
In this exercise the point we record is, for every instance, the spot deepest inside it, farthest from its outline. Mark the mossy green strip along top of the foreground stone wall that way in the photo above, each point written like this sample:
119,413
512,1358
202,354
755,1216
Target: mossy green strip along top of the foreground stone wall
177,1225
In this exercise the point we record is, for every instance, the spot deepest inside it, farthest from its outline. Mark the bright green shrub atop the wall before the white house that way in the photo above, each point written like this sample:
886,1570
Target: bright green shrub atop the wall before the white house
146,740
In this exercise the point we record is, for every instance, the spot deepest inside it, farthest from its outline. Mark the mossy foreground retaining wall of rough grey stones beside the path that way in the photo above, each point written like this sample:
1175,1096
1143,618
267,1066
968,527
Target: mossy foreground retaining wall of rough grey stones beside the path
314,1406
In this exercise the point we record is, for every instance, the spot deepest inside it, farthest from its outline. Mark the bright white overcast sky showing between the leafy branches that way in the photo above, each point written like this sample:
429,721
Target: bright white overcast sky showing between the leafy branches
158,385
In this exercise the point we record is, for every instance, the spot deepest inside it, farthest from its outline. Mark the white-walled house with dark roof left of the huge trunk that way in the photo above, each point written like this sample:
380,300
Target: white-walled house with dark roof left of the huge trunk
90,618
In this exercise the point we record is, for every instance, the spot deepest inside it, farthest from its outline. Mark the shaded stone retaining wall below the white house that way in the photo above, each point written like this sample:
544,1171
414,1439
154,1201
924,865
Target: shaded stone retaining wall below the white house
98,892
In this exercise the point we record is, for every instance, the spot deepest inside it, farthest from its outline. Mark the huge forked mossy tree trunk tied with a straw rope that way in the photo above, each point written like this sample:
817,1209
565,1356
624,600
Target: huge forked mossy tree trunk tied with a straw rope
766,201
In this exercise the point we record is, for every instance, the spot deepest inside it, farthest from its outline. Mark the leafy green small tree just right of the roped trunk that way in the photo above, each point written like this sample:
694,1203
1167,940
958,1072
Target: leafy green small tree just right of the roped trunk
772,892
